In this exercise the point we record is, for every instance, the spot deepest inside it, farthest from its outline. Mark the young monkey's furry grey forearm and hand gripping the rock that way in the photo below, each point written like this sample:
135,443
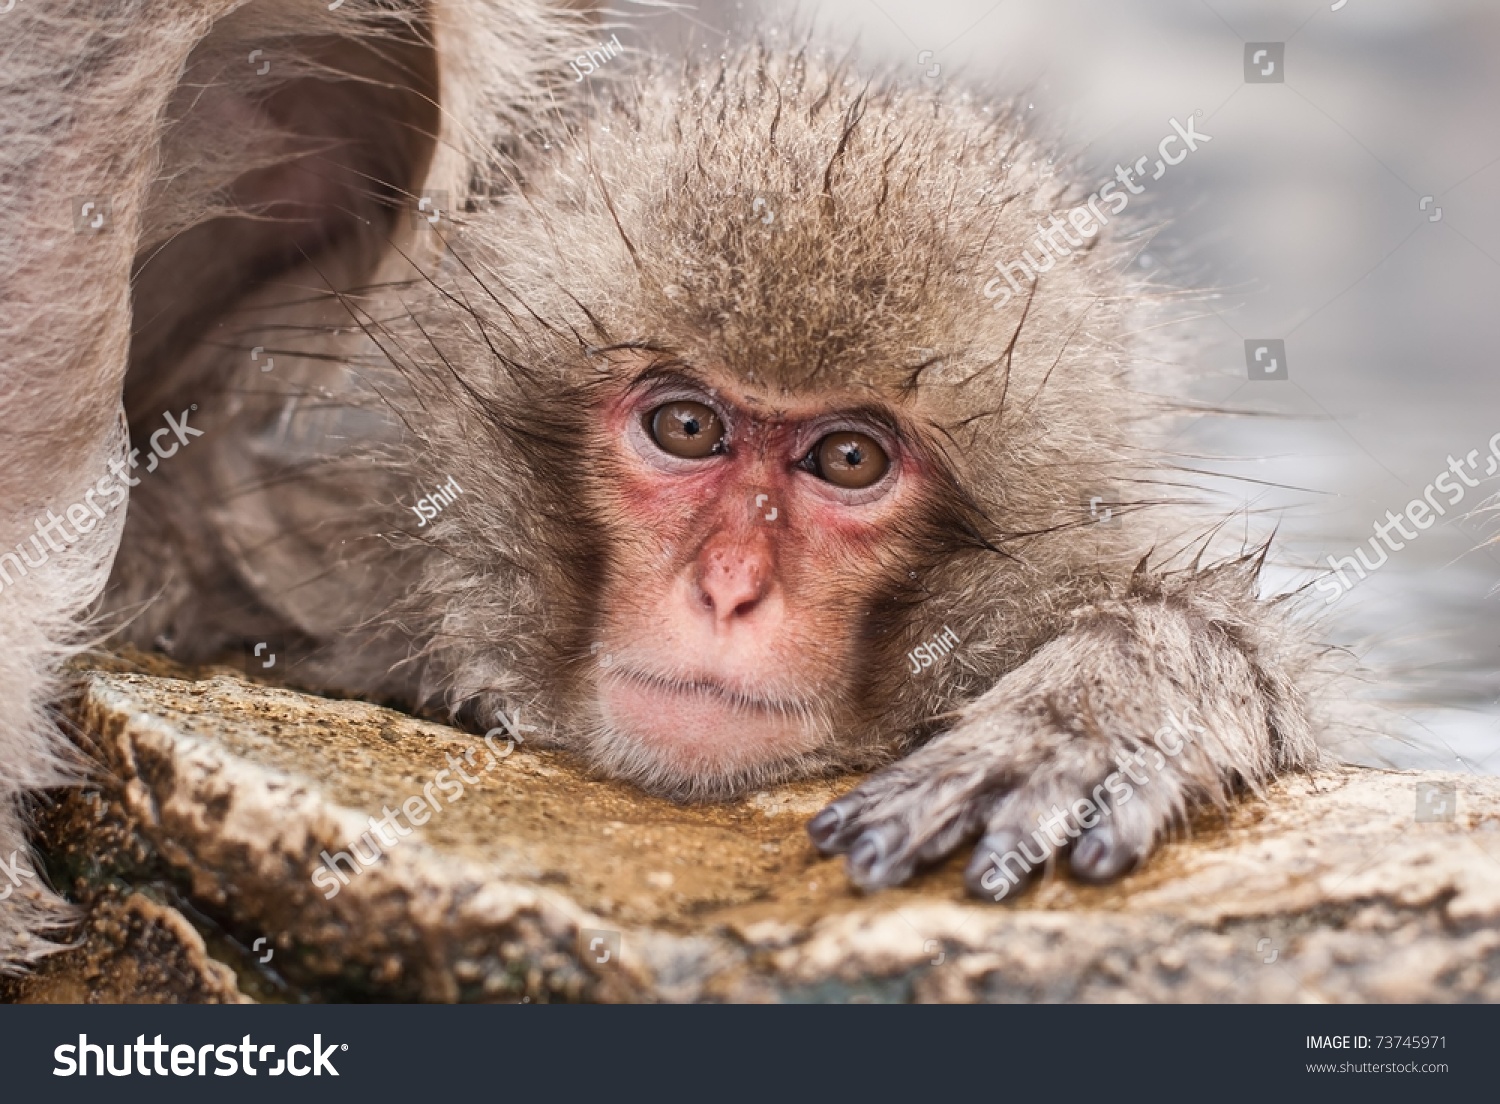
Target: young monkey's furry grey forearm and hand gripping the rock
1090,752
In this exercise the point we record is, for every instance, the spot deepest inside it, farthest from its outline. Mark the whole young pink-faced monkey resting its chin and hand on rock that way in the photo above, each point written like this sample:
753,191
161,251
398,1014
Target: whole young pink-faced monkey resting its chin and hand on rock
724,475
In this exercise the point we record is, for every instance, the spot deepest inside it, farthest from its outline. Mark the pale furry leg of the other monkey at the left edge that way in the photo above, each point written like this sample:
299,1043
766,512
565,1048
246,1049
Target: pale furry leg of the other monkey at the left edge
83,89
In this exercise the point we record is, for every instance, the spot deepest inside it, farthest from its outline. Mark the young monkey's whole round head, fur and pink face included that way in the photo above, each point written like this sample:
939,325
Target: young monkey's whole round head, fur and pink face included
755,464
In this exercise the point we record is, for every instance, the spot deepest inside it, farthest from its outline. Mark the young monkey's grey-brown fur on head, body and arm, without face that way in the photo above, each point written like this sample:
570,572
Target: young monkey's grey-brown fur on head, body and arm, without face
634,232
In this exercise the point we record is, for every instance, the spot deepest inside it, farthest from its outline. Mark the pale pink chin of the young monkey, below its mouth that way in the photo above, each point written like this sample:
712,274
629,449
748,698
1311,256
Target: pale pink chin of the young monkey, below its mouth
700,739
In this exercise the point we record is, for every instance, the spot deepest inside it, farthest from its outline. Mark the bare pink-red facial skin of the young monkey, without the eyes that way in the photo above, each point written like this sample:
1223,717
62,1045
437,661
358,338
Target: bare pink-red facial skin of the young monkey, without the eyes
740,580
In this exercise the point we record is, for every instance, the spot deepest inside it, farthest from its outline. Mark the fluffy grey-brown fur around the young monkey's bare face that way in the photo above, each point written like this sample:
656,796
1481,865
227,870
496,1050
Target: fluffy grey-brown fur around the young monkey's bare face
787,224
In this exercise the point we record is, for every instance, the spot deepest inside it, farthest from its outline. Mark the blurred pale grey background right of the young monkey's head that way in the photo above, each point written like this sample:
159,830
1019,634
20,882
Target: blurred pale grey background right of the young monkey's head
1348,208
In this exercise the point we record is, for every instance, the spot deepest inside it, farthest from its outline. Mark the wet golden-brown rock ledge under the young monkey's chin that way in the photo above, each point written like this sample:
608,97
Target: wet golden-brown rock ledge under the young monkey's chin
224,794
